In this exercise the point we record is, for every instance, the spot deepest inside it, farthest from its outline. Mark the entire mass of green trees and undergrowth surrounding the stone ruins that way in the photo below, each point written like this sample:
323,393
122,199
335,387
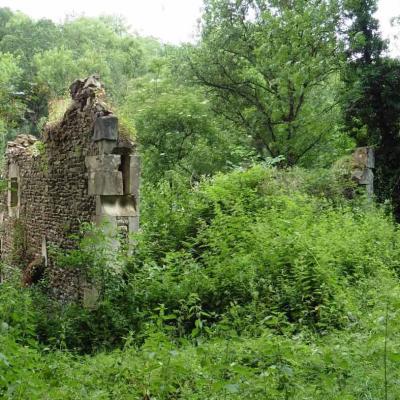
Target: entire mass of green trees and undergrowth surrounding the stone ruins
260,271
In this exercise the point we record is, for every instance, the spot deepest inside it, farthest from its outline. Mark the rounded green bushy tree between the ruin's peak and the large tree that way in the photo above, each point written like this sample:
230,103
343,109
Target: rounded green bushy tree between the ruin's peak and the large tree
177,133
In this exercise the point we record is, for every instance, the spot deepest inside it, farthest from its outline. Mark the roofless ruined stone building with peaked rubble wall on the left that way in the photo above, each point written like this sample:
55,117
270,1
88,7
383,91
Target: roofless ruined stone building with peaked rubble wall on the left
82,169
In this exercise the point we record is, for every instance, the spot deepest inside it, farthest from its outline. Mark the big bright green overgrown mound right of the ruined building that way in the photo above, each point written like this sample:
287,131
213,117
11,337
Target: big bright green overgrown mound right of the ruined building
250,243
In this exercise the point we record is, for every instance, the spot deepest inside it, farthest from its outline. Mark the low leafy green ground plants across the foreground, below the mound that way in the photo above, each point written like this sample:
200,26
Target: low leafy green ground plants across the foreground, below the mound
347,364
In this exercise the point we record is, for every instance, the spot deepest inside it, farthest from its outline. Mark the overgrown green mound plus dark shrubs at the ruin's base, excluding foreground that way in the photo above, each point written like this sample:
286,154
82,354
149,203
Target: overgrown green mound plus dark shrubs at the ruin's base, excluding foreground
253,249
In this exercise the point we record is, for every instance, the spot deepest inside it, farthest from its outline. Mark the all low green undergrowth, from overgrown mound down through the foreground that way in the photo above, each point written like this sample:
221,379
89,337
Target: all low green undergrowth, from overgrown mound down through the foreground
260,283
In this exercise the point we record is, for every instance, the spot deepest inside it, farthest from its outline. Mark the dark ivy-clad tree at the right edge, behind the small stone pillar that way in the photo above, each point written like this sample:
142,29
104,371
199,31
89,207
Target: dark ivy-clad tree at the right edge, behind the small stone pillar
372,96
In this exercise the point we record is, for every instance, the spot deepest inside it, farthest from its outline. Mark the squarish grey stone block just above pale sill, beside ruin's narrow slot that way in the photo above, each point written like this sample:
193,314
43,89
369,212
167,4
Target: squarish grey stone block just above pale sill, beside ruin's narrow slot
105,183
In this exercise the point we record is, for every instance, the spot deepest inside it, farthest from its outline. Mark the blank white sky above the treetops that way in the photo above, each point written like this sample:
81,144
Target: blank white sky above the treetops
172,21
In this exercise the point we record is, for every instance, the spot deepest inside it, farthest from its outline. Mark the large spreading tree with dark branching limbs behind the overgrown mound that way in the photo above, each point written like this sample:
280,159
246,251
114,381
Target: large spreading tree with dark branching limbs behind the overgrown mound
269,67
